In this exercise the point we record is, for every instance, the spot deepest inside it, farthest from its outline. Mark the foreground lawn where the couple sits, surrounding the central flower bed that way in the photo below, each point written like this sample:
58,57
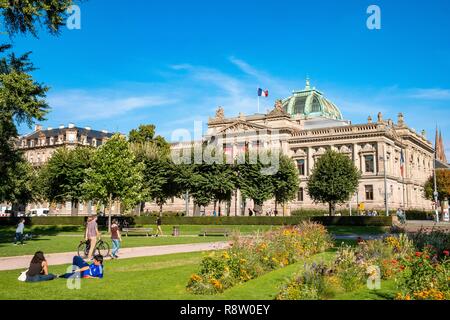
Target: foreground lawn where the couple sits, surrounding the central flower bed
160,278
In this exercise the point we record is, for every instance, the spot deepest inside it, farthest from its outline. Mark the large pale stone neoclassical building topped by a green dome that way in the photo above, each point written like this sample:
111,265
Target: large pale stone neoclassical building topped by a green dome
305,125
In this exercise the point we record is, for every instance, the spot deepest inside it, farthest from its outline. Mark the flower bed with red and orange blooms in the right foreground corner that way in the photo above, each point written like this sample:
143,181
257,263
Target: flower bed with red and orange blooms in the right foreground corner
418,275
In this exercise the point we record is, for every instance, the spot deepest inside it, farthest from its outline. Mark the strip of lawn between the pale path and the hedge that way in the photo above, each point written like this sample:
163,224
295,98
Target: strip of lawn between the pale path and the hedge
53,239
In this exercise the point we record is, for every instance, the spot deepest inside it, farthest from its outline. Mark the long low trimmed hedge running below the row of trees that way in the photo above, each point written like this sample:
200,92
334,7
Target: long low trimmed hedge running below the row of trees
292,220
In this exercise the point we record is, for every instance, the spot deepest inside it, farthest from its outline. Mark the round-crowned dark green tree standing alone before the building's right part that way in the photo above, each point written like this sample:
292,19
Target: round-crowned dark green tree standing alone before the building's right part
333,180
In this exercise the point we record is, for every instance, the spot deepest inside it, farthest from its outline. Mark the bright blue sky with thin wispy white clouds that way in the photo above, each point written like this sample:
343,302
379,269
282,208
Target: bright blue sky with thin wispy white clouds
173,62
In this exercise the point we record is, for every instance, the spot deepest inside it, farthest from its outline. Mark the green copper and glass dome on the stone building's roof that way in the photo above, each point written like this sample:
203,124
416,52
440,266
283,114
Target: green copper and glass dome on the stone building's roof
310,103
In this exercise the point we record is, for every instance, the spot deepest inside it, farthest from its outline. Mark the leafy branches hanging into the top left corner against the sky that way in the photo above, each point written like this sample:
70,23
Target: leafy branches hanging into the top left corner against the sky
23,16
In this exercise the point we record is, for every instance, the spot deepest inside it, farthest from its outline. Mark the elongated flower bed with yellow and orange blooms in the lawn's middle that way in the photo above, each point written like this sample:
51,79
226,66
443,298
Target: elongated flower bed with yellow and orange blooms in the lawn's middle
250,257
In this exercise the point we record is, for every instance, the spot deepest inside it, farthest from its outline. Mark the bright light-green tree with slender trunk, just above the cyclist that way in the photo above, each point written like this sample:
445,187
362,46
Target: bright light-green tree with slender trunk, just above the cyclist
114,175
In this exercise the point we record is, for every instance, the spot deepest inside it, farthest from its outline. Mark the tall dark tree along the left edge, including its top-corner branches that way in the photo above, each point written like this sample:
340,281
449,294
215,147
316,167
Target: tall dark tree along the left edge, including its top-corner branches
22,100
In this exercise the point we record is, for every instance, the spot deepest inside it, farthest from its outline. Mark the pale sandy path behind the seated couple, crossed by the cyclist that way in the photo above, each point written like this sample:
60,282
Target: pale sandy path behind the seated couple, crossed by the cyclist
22,262
